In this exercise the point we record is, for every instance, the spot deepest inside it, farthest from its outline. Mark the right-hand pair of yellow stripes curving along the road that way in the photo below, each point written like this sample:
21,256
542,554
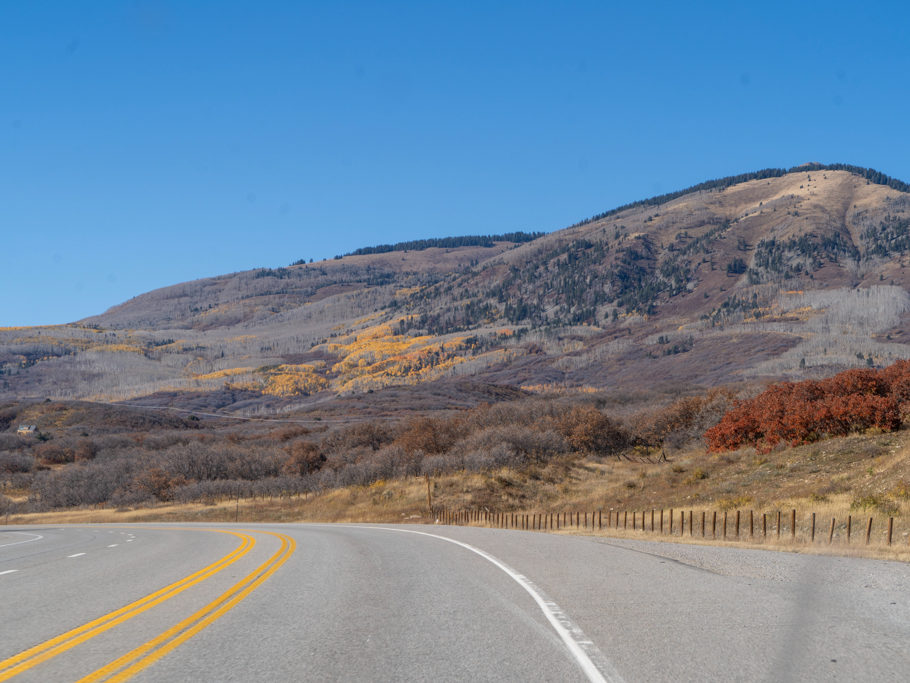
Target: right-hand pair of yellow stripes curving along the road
147,654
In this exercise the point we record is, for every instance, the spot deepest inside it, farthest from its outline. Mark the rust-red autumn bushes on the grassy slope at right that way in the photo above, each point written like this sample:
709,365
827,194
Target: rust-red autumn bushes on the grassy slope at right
801,412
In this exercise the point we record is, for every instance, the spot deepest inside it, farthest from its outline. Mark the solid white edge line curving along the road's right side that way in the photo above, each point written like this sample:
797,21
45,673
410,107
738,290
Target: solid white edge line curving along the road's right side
571,635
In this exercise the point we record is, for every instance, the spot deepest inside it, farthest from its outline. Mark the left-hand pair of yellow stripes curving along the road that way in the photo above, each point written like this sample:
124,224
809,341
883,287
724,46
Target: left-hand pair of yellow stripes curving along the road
33,656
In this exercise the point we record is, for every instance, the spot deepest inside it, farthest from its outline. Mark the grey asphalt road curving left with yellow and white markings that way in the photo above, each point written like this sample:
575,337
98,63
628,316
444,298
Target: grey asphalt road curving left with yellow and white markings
420,603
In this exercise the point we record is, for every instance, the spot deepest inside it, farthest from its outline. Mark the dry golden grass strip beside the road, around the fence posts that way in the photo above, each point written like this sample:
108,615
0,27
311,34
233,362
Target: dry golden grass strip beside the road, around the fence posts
861,476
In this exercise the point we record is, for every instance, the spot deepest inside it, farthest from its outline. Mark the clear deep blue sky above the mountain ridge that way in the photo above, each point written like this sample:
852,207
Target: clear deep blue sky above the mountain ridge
151,142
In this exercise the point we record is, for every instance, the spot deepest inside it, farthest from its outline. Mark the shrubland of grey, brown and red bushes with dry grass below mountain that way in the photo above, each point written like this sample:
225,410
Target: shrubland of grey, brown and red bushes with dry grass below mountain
538,452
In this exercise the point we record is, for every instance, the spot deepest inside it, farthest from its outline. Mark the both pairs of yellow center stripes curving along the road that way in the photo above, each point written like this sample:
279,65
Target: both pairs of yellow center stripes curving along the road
134,661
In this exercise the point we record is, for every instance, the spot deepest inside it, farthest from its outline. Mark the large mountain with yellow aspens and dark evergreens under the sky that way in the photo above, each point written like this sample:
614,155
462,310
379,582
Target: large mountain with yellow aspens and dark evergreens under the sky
774,274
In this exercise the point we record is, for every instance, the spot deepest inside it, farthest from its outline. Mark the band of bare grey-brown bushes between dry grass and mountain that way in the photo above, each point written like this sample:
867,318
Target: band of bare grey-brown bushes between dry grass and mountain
186,463
